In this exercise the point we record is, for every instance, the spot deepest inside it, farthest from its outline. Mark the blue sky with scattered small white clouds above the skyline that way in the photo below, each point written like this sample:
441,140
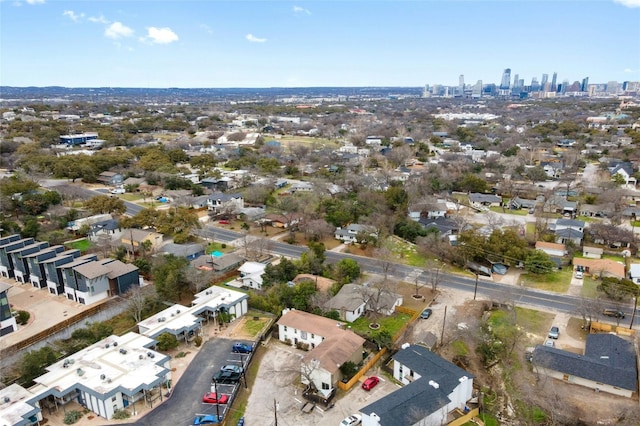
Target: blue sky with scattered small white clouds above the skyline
241,43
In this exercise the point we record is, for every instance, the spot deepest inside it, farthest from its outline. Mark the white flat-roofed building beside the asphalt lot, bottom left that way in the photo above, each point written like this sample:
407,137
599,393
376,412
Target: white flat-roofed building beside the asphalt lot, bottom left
109,375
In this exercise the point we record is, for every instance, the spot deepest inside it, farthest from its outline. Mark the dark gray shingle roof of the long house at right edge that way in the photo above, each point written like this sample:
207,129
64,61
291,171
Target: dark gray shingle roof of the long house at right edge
608,359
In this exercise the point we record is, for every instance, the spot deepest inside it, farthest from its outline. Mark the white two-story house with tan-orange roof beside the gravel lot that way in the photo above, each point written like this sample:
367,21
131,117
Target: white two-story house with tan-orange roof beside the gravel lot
330,346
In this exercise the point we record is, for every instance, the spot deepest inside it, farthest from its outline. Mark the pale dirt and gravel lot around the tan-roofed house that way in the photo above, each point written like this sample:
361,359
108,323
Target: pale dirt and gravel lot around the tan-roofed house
277,388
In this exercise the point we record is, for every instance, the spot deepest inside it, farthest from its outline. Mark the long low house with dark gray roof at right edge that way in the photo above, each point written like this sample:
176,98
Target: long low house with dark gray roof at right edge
607,365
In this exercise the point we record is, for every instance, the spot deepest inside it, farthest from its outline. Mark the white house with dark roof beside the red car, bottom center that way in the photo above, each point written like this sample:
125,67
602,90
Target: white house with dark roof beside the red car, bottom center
433,388
